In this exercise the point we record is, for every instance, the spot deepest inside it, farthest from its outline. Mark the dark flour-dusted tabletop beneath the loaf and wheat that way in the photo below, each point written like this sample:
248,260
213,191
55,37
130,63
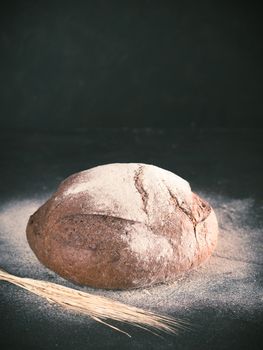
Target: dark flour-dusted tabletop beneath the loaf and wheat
224,165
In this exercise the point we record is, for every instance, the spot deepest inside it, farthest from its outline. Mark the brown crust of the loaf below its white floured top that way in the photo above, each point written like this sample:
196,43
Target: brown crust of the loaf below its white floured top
112,252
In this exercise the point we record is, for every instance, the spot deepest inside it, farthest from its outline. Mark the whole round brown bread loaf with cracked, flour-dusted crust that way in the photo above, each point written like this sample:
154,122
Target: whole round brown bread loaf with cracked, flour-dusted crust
123,225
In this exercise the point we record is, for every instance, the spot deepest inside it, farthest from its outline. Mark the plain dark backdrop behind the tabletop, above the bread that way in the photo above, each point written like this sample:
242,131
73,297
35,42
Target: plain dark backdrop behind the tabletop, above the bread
81,64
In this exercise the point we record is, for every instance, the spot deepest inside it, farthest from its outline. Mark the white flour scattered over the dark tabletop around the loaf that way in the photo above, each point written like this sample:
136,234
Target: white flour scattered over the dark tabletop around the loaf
230,279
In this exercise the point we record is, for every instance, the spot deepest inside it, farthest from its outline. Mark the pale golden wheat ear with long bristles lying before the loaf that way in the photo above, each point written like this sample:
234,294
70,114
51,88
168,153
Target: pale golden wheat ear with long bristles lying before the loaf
97,307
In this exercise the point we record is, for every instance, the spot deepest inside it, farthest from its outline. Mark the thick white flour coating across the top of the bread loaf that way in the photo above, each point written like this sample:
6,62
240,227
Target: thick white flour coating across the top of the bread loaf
144,189
